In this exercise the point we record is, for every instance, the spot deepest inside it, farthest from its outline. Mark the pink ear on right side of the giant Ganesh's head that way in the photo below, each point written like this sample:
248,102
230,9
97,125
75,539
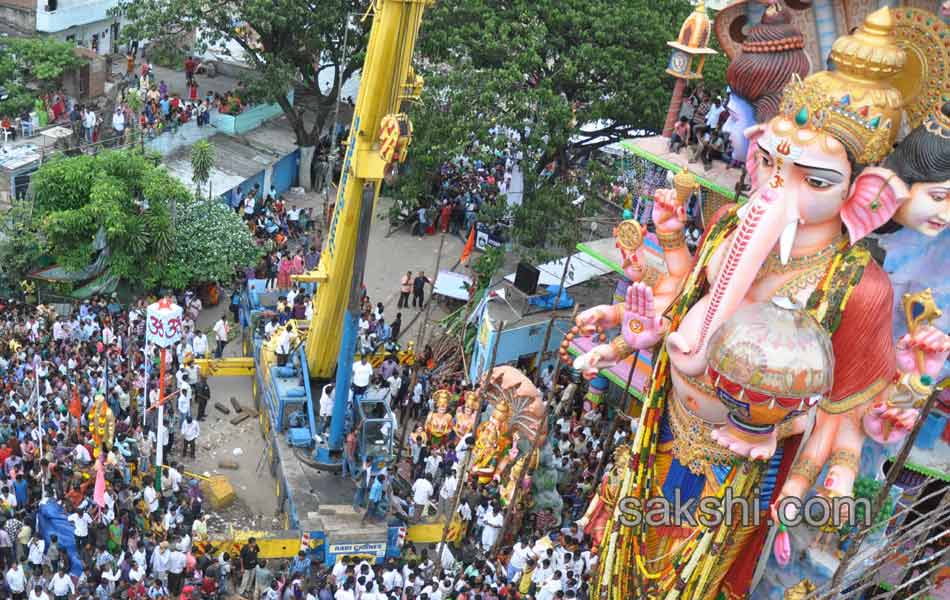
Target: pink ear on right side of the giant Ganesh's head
875,196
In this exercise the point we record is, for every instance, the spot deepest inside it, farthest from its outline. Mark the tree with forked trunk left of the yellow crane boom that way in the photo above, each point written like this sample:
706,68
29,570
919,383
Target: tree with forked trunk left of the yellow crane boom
285,41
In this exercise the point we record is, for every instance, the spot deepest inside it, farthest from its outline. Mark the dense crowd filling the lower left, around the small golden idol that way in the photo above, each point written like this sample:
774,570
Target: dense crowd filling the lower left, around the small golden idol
82,514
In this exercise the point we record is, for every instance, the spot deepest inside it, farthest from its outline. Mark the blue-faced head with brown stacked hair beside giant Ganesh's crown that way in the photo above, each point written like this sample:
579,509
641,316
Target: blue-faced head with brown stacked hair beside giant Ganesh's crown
772,52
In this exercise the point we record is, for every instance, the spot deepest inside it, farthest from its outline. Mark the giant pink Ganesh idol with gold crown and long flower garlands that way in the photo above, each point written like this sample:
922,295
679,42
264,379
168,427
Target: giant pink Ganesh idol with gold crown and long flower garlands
729,408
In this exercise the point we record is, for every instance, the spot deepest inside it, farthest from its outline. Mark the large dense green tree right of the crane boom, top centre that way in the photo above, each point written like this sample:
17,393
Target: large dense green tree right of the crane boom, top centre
548,81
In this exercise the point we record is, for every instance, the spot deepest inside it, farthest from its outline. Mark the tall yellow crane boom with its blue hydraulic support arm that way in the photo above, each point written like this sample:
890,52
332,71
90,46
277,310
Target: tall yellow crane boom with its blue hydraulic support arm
379,135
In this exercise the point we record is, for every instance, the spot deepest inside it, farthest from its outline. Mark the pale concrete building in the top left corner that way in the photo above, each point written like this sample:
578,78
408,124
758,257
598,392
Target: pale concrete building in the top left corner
85,22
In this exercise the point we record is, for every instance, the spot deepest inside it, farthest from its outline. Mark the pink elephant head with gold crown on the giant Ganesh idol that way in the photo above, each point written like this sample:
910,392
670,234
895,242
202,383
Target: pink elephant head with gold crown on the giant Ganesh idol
808,185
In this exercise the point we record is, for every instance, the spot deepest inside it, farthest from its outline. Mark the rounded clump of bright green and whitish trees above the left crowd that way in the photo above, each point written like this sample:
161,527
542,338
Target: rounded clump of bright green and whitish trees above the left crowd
125,197
